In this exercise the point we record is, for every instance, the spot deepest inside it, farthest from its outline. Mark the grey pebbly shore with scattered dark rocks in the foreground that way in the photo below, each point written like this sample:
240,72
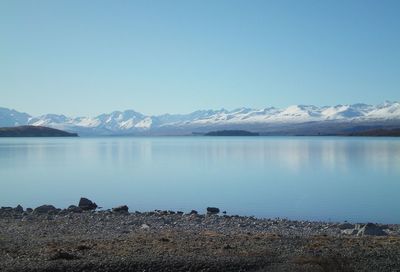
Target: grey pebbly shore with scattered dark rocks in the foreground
82,238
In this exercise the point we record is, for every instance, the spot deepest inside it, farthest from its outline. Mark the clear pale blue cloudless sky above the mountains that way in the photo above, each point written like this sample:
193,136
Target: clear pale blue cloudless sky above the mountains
90,57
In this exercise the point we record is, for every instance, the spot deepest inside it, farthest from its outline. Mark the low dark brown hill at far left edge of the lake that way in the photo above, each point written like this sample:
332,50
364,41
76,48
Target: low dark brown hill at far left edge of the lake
34,131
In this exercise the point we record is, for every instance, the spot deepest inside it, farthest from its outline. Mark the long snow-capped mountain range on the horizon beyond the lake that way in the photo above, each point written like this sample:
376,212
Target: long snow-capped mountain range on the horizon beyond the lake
267,119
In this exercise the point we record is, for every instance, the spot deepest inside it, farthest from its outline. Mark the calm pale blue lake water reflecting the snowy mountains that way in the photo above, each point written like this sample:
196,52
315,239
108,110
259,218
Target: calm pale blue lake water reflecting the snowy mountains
318,178
